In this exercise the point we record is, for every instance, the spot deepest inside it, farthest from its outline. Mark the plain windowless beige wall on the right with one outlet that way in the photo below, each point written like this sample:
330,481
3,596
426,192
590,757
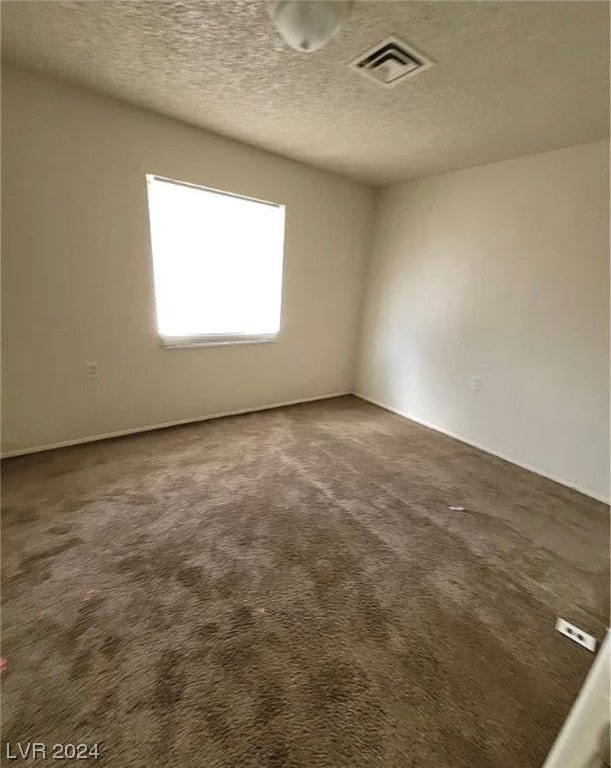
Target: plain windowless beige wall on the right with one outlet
502,272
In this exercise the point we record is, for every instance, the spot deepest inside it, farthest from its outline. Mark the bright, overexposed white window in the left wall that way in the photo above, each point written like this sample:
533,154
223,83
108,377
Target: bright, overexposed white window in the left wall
217,261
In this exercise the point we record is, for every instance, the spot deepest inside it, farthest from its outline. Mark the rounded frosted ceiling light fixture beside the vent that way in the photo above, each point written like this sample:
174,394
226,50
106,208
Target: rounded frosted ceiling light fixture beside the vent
308,25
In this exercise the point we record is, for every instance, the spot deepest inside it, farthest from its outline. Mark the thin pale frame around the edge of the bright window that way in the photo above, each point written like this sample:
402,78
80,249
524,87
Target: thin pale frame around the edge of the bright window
212,339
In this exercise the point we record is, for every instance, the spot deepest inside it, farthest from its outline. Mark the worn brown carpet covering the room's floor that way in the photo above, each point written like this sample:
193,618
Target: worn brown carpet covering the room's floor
289,589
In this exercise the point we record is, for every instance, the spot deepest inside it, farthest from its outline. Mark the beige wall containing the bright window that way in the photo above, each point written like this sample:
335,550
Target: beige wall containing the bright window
76,270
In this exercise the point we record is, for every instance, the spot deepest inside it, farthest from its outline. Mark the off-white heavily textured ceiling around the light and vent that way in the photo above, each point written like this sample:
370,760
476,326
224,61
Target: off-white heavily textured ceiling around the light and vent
511,78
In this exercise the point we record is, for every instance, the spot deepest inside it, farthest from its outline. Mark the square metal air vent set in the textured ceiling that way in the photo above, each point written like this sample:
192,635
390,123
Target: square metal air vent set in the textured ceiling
391,61
